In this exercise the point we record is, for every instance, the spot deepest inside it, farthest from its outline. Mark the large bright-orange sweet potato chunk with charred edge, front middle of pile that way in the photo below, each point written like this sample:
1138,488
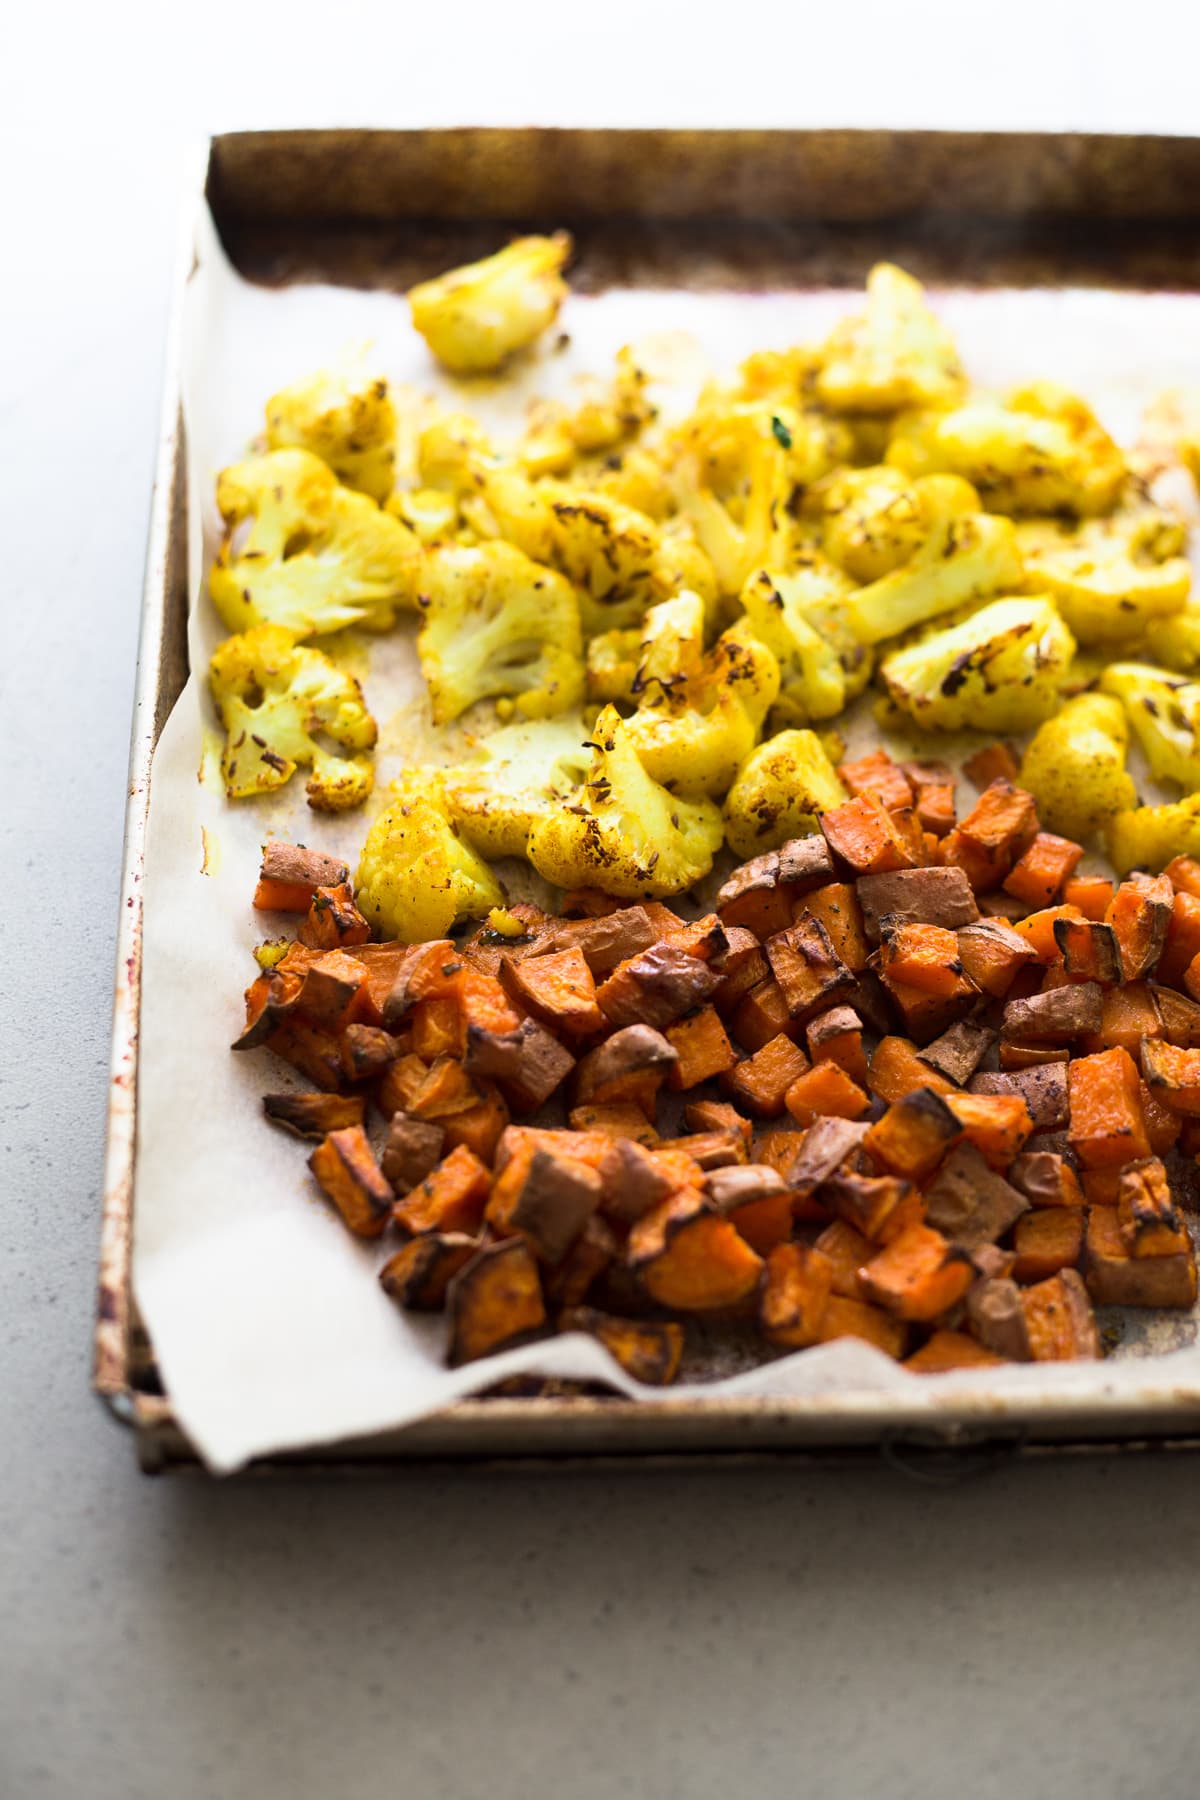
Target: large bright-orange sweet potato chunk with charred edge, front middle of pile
690,1259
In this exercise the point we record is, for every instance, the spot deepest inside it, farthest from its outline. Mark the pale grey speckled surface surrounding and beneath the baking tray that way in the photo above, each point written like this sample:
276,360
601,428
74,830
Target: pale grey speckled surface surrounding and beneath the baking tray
706,1635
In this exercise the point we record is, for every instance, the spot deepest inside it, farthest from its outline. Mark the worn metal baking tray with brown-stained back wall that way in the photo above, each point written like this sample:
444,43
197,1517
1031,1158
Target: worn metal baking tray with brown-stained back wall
748,210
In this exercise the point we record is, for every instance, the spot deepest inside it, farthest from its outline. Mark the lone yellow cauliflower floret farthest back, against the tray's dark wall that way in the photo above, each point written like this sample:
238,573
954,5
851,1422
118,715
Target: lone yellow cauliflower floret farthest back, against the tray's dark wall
474,318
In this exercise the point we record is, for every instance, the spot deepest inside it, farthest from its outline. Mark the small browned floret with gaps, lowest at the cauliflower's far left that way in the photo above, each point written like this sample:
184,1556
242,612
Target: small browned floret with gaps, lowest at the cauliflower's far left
278,701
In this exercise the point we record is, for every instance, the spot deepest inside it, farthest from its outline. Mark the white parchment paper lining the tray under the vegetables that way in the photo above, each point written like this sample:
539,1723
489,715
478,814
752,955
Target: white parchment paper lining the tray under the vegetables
269,1327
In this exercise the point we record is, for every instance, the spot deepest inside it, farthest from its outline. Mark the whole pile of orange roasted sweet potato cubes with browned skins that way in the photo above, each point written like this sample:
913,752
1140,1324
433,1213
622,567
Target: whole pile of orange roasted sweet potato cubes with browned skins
917,1081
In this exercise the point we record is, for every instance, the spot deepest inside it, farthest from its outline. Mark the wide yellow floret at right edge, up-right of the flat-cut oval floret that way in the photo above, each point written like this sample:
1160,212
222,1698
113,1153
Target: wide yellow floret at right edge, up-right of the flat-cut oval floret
1109,577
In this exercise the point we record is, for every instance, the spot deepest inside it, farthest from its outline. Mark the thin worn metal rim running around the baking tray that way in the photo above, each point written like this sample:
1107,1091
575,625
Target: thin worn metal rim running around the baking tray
568,1430
